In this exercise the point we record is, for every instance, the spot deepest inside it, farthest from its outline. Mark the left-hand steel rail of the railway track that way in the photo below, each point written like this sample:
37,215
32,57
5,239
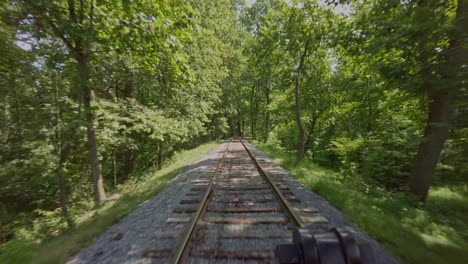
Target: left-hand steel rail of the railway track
182,248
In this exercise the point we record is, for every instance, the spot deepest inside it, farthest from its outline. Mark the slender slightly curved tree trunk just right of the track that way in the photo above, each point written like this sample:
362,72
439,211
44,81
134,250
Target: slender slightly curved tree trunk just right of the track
297,107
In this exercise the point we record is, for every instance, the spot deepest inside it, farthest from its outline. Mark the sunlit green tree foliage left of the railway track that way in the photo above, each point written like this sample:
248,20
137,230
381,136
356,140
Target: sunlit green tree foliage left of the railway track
156,70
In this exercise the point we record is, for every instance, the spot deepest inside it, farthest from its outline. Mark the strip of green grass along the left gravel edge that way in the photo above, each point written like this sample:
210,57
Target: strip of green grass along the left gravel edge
92,224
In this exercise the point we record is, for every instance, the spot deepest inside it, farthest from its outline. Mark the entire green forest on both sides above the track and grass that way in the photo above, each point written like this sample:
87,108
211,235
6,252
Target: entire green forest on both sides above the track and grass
94,93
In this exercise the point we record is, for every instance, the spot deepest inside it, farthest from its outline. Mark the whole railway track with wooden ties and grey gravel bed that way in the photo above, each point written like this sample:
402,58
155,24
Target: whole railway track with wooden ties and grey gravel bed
234,206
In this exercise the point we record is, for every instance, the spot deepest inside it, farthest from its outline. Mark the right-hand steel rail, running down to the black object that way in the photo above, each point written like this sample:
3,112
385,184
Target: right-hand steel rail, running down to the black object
295,219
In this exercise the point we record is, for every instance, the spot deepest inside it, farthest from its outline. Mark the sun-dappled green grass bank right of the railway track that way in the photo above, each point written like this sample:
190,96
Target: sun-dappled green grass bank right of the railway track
437,233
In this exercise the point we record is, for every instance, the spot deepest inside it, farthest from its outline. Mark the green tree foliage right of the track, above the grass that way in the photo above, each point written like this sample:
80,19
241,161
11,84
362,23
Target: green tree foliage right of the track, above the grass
361,102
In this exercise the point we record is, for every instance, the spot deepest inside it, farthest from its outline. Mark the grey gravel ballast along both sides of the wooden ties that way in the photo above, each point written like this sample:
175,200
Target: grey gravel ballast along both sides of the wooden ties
140,232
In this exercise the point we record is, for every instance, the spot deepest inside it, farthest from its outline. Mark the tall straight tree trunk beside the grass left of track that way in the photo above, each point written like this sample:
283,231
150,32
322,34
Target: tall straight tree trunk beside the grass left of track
88,98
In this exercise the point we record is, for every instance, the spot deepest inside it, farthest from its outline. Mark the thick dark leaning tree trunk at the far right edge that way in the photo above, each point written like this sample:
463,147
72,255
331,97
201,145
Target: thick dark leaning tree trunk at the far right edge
440,108
